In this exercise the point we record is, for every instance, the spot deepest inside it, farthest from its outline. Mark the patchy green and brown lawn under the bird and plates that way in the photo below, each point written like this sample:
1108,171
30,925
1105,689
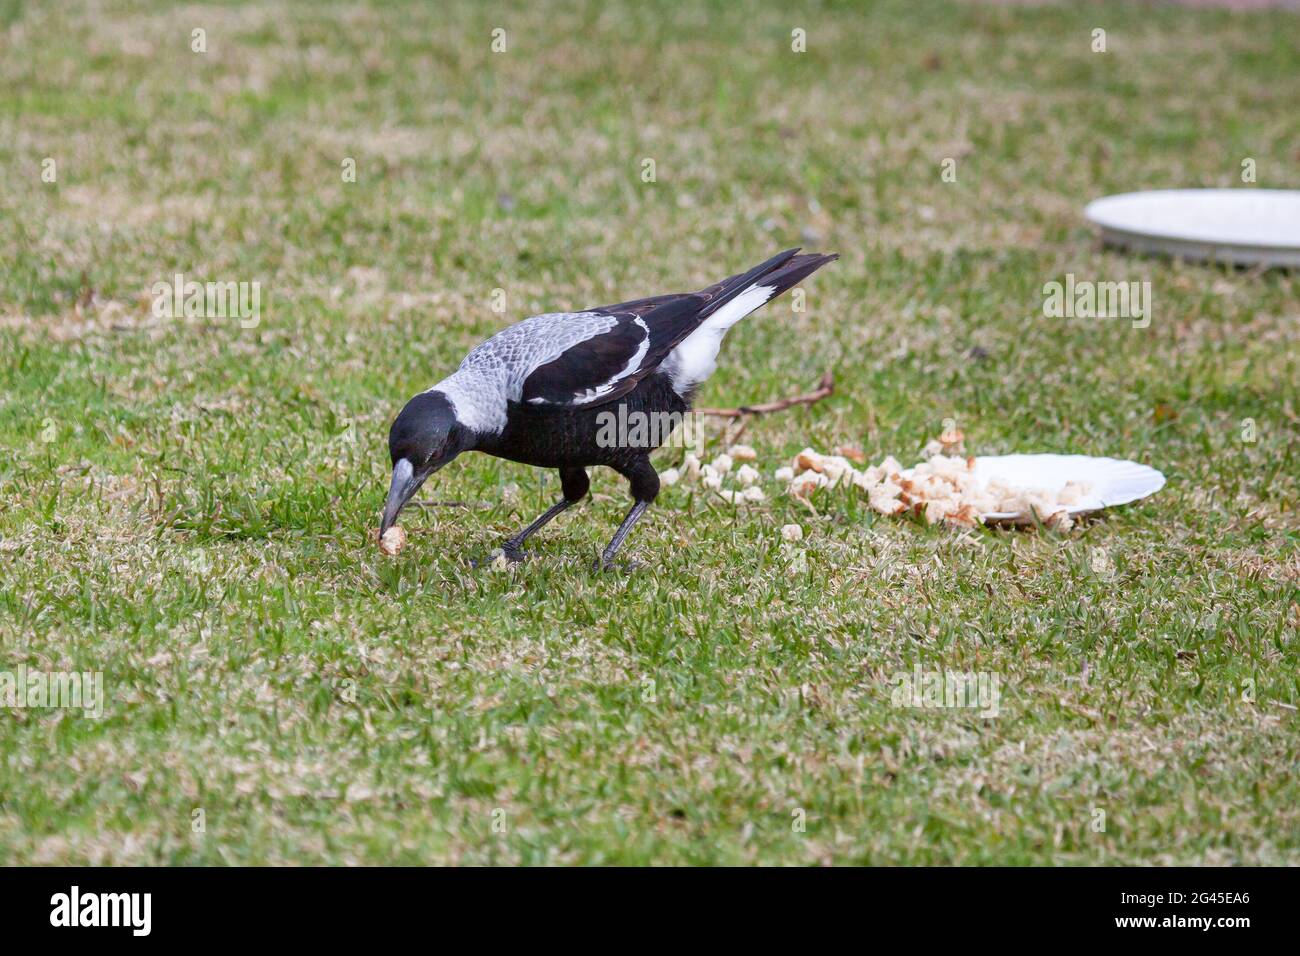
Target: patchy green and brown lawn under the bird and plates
198,527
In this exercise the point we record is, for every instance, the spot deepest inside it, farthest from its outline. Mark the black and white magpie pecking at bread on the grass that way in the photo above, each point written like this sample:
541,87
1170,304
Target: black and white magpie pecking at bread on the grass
535,392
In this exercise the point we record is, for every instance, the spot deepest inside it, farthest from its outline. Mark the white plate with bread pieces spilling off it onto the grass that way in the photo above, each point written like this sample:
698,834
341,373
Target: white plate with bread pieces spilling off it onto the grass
1113,482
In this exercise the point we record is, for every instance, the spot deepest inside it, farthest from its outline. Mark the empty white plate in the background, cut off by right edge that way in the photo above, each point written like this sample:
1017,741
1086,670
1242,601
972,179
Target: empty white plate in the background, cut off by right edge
1246,227
